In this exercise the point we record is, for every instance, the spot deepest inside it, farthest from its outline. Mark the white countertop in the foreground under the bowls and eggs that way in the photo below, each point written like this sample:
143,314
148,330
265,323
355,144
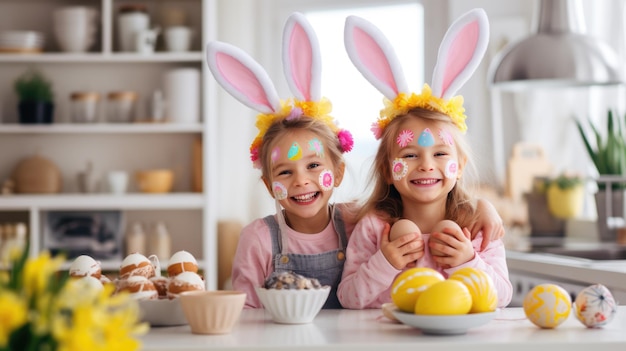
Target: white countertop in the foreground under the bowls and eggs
369,330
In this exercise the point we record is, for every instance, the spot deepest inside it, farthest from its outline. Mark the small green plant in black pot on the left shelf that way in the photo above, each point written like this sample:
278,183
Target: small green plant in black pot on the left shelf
35,98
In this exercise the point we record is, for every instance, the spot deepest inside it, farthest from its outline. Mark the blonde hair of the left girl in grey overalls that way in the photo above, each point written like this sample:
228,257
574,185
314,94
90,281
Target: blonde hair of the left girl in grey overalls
332,145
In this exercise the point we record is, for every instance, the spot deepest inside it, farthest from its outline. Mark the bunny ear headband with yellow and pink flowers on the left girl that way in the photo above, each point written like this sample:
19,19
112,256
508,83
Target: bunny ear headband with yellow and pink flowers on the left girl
243,77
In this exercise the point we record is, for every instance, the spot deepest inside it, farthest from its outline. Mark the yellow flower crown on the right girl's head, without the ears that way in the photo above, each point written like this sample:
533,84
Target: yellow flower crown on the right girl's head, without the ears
403,103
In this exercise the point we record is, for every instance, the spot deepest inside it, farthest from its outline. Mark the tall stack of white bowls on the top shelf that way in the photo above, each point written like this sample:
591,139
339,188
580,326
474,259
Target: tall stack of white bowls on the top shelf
75,28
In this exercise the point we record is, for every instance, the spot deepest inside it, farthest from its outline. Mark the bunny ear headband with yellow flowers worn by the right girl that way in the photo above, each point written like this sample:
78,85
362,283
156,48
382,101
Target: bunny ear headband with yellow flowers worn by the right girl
460,53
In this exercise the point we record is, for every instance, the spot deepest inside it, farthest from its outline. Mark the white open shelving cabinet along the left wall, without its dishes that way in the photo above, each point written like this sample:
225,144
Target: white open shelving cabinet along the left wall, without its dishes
190,215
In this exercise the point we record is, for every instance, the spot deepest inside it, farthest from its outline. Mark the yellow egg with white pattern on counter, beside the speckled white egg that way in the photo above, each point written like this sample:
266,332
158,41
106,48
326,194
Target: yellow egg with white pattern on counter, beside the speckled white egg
547,305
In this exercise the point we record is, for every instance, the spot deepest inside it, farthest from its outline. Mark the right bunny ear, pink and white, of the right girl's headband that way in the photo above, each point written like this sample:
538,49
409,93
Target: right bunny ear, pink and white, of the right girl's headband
460,53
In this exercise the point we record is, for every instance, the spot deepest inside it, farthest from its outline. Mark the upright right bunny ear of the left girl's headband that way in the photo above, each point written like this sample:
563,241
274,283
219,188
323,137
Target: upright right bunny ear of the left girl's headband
302,62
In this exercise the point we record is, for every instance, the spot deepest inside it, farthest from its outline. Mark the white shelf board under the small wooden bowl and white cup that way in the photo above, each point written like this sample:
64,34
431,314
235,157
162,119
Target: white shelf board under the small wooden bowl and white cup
131,201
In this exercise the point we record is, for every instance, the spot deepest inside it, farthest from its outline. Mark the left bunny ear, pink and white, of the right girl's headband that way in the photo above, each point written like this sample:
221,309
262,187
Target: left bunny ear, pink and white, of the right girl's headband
374,57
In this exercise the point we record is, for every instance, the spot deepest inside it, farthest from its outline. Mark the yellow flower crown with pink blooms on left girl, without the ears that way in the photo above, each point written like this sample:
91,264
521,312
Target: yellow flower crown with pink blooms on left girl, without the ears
293,108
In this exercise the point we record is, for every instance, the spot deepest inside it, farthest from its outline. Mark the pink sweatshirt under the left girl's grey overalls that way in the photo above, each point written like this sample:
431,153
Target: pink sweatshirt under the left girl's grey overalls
253,259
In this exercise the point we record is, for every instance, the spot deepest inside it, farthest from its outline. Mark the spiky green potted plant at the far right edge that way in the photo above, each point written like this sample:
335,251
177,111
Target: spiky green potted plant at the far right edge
607,150
